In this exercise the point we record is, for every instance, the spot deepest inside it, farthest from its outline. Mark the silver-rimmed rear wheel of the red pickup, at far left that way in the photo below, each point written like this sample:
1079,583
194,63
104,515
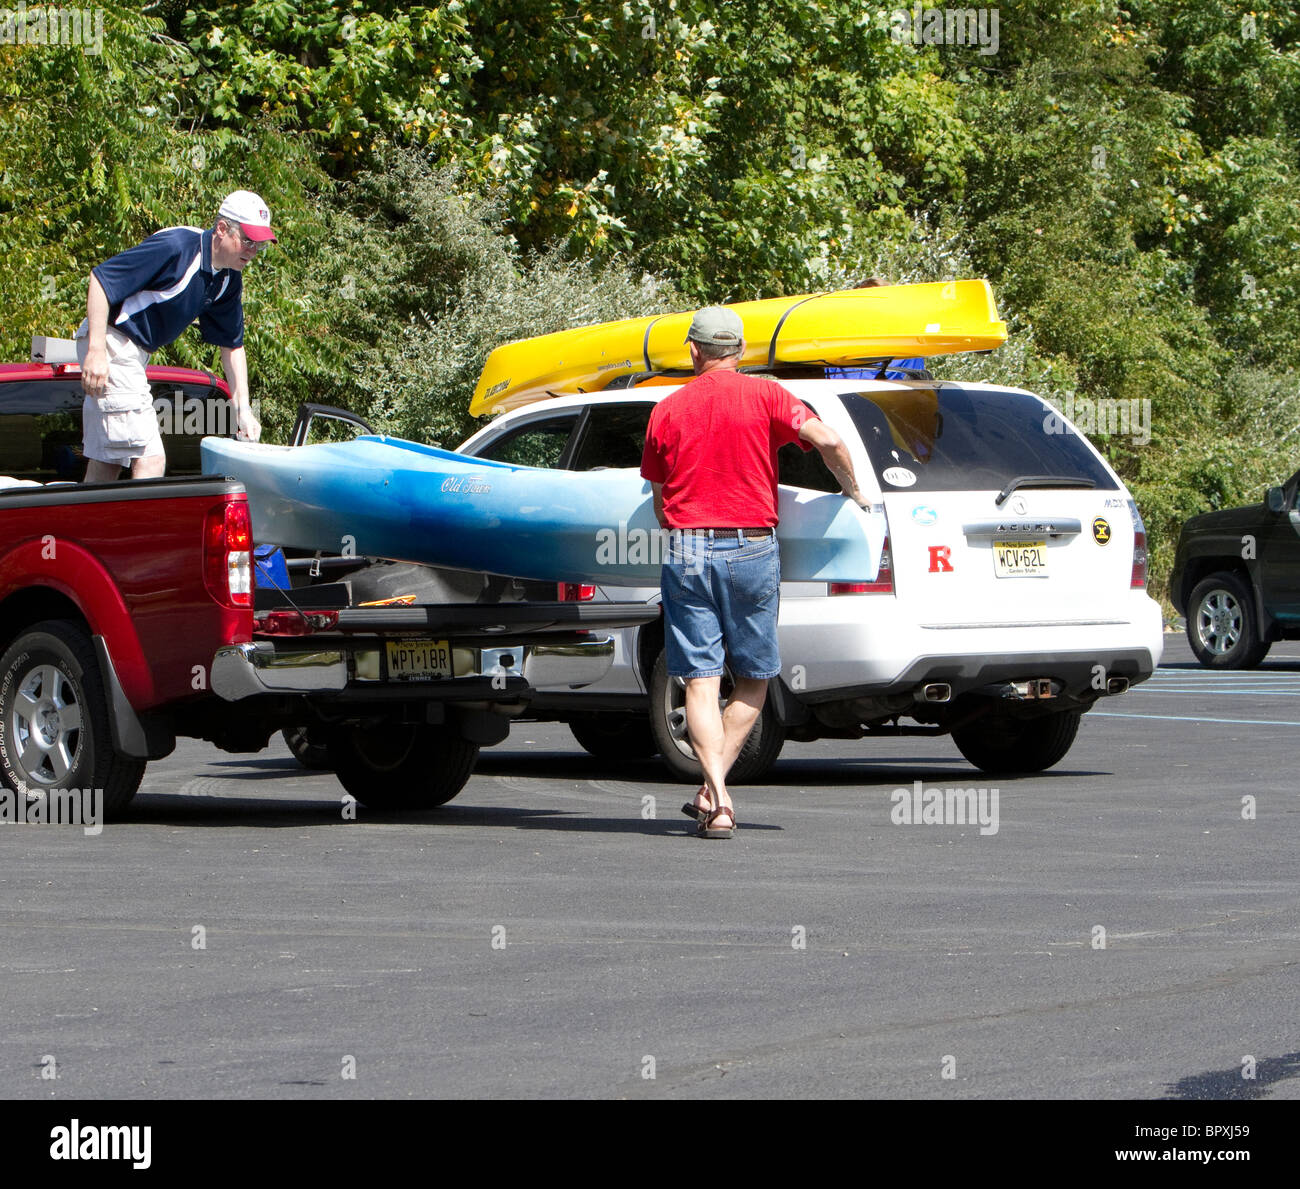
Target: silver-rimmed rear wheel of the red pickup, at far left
54,719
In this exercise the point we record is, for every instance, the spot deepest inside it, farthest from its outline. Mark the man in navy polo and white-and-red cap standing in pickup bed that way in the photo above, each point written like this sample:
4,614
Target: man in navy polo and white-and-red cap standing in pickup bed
144,300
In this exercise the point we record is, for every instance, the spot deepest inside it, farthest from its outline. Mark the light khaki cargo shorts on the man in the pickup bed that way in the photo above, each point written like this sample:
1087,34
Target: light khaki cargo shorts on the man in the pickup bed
122,426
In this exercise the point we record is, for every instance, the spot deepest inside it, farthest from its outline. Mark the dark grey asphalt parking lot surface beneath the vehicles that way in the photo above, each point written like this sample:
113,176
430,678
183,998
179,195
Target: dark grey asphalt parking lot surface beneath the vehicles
545,936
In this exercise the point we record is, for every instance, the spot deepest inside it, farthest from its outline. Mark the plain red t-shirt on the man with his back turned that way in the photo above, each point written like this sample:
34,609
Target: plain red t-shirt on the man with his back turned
713,445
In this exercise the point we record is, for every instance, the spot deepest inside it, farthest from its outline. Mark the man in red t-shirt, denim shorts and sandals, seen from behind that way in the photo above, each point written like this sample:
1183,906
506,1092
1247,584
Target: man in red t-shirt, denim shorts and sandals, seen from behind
710,457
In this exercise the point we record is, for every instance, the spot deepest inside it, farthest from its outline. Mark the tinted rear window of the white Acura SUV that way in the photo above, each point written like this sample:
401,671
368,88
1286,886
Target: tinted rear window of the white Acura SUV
956,440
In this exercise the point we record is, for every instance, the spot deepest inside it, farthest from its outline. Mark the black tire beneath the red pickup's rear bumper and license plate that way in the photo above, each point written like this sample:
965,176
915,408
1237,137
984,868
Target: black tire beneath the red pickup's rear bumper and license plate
400,766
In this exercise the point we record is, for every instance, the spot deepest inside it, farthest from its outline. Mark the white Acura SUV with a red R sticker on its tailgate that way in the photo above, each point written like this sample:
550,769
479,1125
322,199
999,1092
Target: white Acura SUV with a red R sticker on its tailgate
1012,596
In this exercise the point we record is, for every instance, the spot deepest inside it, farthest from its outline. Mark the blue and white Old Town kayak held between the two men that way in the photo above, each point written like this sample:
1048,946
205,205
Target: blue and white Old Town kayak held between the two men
387,498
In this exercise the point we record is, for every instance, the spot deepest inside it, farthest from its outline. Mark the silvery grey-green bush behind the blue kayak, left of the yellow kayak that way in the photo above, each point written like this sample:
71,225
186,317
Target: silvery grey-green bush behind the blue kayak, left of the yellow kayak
439,287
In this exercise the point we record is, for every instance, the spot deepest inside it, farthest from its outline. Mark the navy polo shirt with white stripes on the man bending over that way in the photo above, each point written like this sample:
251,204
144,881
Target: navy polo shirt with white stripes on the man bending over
161,287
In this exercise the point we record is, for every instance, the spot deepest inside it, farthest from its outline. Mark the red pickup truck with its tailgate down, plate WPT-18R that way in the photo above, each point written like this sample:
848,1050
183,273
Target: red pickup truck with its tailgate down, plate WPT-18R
129,618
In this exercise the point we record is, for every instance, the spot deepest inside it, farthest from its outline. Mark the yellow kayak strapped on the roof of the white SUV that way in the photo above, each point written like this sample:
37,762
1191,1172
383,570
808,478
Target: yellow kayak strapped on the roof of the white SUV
840,329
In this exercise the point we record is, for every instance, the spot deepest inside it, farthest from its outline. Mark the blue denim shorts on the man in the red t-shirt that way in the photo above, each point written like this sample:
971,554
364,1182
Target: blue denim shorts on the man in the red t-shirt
721,597
